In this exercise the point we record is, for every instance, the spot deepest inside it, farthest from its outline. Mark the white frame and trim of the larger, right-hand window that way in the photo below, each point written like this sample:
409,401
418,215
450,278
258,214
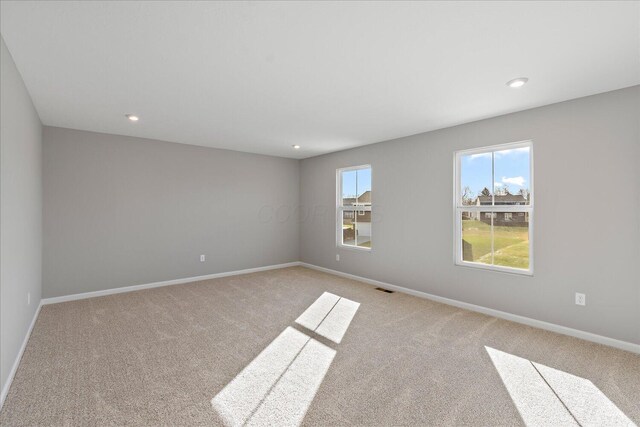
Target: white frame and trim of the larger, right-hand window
458,208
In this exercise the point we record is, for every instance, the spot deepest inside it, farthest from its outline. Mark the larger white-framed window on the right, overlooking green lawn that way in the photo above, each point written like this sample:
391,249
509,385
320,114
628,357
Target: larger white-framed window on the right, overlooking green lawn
494,207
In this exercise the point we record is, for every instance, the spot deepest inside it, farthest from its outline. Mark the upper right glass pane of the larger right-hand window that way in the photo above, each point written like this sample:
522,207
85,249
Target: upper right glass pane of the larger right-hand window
512,177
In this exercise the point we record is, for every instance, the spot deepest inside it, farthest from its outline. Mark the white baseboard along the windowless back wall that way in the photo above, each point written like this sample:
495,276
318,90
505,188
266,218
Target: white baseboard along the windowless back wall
84,295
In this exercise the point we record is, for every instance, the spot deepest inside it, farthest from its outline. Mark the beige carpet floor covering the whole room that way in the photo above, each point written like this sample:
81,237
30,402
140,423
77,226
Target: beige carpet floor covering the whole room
159,357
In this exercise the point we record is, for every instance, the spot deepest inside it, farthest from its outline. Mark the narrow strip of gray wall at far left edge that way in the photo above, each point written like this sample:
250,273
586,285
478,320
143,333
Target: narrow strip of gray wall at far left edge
20,212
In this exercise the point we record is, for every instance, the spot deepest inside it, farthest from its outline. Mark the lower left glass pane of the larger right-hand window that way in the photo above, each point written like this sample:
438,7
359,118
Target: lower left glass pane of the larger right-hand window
476,237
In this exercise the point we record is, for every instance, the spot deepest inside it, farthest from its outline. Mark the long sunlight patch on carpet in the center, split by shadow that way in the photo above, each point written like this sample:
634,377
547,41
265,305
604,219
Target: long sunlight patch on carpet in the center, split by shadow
278,386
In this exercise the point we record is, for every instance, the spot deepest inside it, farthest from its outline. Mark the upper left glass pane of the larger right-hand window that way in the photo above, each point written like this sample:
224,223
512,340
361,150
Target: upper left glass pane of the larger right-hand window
475,179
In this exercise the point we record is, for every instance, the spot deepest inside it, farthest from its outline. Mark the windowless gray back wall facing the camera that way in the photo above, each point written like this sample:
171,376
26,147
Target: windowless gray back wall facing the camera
122,211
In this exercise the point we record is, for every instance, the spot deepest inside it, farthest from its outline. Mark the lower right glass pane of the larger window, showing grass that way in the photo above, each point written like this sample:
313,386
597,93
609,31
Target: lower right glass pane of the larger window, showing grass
511,240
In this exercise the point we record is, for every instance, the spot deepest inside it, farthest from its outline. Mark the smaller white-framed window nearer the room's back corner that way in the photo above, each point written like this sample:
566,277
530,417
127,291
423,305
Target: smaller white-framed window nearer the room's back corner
354,195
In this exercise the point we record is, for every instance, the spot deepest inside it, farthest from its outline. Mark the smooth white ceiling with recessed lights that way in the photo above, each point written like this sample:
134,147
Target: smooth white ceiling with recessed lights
261,76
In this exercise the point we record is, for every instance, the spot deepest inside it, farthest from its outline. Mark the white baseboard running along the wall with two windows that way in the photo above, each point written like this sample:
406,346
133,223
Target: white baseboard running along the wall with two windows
588,336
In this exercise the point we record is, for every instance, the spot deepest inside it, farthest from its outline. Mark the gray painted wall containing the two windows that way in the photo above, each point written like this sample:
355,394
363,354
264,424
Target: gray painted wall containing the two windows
587,215
